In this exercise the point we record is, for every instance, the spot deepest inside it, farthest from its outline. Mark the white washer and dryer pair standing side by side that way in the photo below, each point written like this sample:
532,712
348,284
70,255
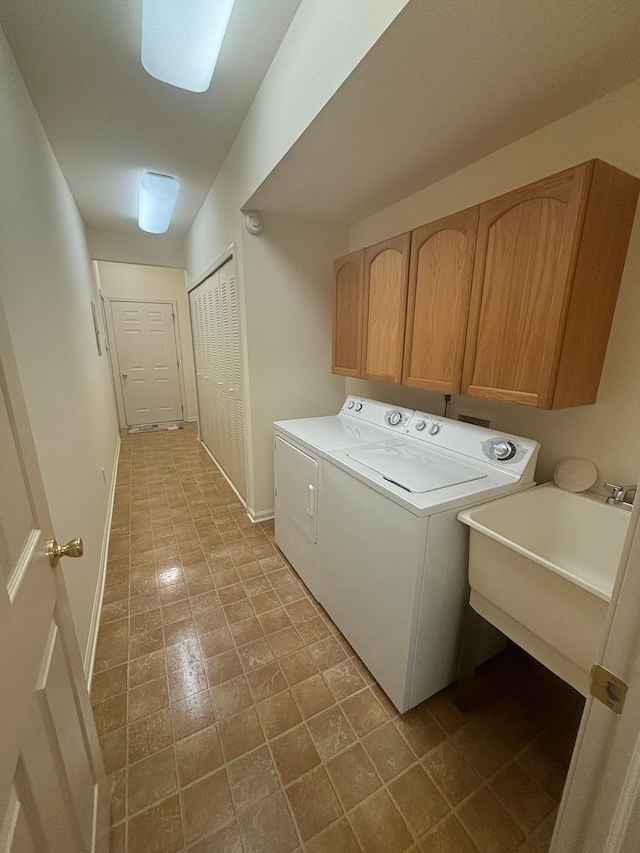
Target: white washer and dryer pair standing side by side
366,504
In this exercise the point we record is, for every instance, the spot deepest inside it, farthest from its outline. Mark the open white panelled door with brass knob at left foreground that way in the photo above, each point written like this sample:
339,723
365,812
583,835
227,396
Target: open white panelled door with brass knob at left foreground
53,790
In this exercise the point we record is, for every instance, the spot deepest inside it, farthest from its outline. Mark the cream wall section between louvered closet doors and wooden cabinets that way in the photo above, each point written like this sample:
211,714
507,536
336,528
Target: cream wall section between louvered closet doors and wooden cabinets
289,309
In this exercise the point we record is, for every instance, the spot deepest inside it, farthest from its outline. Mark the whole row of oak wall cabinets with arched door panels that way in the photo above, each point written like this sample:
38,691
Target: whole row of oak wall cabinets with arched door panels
512,300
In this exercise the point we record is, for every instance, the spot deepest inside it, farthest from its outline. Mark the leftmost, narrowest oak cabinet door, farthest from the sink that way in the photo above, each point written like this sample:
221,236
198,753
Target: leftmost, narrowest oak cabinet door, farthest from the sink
348,302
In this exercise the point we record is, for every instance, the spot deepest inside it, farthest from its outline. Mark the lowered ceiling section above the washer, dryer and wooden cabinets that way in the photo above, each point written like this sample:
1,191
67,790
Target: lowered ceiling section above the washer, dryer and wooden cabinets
447,84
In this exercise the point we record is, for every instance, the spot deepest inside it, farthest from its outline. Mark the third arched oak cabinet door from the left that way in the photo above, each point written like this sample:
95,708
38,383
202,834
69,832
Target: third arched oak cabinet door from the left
437,307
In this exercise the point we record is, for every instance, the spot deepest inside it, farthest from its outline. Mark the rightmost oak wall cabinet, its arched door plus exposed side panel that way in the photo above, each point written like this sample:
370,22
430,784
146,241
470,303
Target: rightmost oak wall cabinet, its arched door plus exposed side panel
549,258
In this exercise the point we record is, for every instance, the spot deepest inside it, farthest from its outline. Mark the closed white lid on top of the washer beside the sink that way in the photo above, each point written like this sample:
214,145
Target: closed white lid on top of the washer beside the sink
415,469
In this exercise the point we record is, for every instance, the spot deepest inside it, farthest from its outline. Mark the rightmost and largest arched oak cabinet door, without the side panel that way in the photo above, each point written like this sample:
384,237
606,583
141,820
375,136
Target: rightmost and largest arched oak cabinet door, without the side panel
525,254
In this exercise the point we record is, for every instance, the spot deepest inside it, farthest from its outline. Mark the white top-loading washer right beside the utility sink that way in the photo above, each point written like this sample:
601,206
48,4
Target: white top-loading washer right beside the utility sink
392,566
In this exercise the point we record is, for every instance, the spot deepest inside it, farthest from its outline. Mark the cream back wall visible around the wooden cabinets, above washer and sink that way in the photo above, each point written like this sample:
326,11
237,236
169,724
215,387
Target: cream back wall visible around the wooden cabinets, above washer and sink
607,432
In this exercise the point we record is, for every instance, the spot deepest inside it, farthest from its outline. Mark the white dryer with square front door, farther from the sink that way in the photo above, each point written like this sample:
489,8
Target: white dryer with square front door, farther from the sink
299,448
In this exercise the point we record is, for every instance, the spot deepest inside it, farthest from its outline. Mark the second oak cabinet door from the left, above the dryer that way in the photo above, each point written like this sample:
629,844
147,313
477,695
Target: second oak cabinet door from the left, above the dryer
386,273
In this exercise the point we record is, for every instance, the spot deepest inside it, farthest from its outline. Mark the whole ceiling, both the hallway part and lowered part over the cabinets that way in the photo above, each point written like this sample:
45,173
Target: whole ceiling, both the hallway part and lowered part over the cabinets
446,84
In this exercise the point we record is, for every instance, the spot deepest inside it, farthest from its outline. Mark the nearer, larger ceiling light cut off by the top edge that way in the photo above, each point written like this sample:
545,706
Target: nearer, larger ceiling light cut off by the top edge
181,40
